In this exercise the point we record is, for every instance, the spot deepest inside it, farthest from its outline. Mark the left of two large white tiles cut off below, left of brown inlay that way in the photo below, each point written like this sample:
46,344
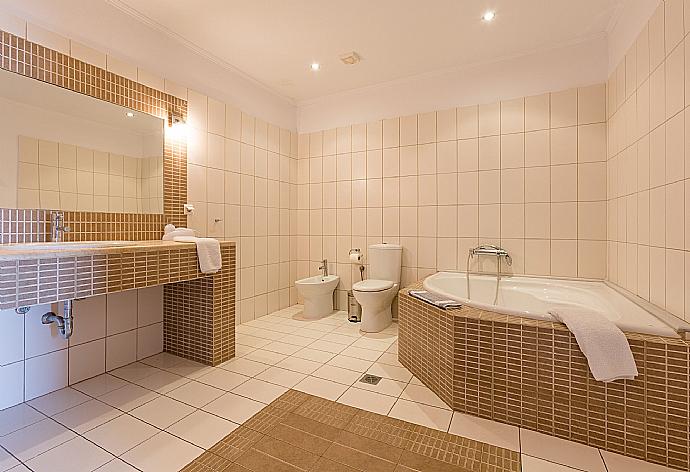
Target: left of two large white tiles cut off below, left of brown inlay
76,455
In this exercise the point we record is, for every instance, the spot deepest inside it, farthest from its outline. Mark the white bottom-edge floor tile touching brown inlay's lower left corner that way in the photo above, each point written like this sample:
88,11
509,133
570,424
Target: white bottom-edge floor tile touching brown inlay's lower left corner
162,452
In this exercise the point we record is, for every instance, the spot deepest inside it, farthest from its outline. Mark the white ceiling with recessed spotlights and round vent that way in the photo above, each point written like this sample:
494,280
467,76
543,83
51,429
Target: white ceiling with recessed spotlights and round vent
275,41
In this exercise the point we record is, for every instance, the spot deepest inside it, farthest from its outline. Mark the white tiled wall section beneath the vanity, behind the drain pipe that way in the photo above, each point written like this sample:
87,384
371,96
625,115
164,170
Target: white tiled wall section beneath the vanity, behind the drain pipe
109,332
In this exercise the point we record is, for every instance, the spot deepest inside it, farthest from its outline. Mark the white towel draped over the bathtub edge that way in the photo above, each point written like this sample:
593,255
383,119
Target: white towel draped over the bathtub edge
604,345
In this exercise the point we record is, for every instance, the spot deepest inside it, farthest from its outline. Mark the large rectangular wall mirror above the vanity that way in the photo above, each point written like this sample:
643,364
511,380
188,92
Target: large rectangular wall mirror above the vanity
63,150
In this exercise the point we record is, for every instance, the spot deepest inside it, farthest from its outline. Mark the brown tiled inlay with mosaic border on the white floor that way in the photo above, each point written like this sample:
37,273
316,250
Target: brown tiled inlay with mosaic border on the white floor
300,432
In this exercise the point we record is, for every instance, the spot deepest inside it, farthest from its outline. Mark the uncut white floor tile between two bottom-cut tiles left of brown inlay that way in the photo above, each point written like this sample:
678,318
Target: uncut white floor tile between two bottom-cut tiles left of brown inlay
121,434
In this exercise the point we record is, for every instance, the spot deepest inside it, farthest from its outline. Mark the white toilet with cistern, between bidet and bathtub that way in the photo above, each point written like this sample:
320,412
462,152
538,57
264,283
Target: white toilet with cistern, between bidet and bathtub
376,293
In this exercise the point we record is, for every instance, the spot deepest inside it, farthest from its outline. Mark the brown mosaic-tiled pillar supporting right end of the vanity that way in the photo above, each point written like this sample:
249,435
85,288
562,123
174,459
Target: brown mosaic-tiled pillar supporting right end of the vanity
199,315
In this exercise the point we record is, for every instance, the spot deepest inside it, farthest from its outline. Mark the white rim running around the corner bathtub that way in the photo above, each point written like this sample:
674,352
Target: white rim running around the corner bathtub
670,321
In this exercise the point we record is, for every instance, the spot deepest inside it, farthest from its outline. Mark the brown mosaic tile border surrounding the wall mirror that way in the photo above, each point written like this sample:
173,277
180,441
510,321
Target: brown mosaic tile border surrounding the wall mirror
38,62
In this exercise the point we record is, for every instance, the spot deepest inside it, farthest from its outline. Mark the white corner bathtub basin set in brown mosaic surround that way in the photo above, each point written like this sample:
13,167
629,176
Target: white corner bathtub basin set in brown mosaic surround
531,297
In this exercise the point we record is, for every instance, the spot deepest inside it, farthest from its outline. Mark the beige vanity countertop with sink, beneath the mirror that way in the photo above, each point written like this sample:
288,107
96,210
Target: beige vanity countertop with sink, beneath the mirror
14,252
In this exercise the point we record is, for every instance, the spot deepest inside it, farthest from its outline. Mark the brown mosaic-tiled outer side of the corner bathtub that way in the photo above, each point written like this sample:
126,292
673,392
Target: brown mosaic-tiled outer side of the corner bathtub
532,374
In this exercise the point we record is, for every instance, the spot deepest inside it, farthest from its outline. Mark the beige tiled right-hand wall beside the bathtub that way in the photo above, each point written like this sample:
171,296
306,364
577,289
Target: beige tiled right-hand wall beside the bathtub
649,163
